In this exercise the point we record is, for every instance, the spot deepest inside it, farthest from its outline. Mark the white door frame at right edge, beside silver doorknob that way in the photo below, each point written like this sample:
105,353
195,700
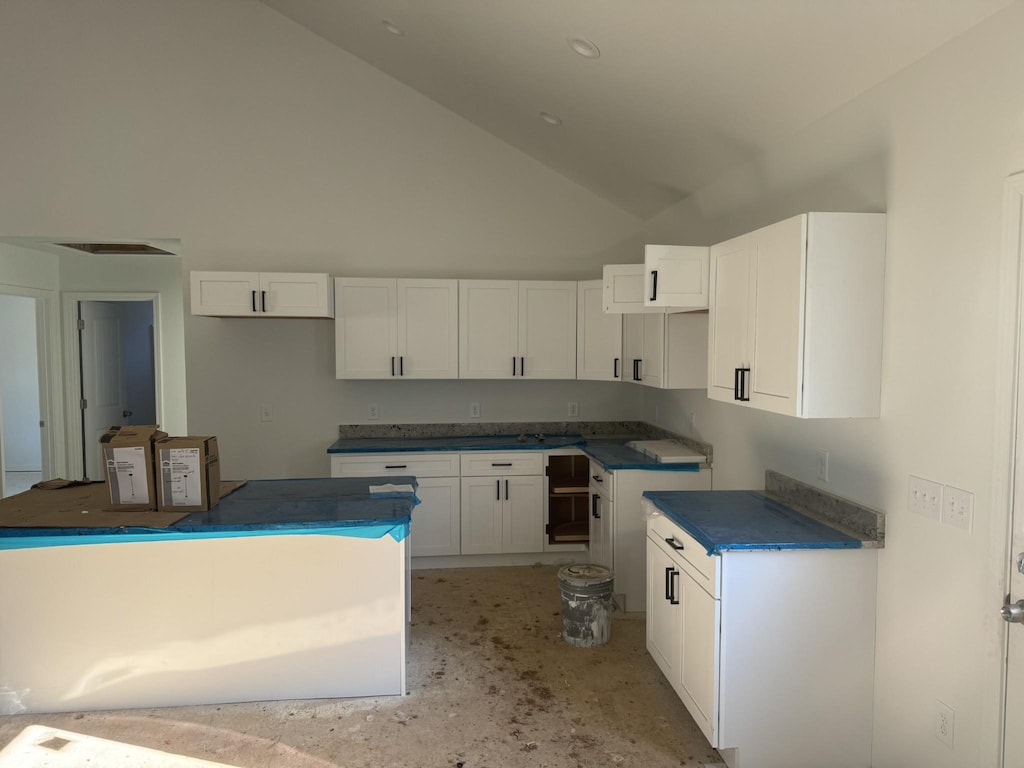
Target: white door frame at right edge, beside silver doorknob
1008,498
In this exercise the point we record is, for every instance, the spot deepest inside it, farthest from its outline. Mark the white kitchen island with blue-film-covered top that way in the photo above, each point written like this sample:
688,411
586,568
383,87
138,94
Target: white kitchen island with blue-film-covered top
288,589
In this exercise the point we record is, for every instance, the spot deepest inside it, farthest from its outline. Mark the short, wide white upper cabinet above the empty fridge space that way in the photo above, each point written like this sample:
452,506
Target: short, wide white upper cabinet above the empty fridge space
262,294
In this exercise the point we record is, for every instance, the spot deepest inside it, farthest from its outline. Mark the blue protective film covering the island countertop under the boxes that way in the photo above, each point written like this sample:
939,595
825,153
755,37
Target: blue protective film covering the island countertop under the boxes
337,506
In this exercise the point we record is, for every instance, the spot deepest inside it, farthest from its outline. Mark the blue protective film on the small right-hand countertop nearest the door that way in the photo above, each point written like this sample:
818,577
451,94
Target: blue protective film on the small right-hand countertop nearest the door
724,521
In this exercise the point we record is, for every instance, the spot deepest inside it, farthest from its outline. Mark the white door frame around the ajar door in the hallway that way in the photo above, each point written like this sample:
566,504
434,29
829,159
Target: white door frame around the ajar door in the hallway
73,368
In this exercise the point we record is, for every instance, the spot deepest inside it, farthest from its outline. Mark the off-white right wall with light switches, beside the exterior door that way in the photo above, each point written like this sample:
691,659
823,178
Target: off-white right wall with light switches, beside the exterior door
932,148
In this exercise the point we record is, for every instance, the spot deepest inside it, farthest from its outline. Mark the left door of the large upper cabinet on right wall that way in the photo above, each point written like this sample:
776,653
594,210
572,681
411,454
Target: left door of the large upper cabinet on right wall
730,316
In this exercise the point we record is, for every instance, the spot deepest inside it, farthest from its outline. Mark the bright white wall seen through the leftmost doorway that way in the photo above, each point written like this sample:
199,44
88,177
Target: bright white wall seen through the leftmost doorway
20,386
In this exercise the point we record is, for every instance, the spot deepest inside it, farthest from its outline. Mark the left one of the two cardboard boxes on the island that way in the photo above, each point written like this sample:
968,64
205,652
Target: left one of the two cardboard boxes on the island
129,461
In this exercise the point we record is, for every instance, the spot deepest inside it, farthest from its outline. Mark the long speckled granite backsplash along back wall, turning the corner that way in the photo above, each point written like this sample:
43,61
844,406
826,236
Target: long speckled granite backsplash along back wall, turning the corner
605,430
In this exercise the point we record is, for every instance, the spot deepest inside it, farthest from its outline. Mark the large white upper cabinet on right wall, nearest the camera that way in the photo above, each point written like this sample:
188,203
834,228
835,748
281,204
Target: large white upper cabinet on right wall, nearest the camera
796,317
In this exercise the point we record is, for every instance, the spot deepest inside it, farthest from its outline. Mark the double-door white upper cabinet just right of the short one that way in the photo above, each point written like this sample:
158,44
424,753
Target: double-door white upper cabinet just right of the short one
388,328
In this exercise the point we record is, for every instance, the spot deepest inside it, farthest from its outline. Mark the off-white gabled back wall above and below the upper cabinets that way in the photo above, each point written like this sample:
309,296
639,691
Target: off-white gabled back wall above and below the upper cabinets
263,147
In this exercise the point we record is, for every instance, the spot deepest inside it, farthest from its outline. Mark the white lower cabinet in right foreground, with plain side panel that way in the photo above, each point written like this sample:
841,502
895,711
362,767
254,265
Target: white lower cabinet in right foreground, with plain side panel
772,652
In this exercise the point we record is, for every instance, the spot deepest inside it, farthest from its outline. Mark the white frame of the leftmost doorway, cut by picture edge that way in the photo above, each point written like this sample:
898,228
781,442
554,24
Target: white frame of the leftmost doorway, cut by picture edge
50,365
